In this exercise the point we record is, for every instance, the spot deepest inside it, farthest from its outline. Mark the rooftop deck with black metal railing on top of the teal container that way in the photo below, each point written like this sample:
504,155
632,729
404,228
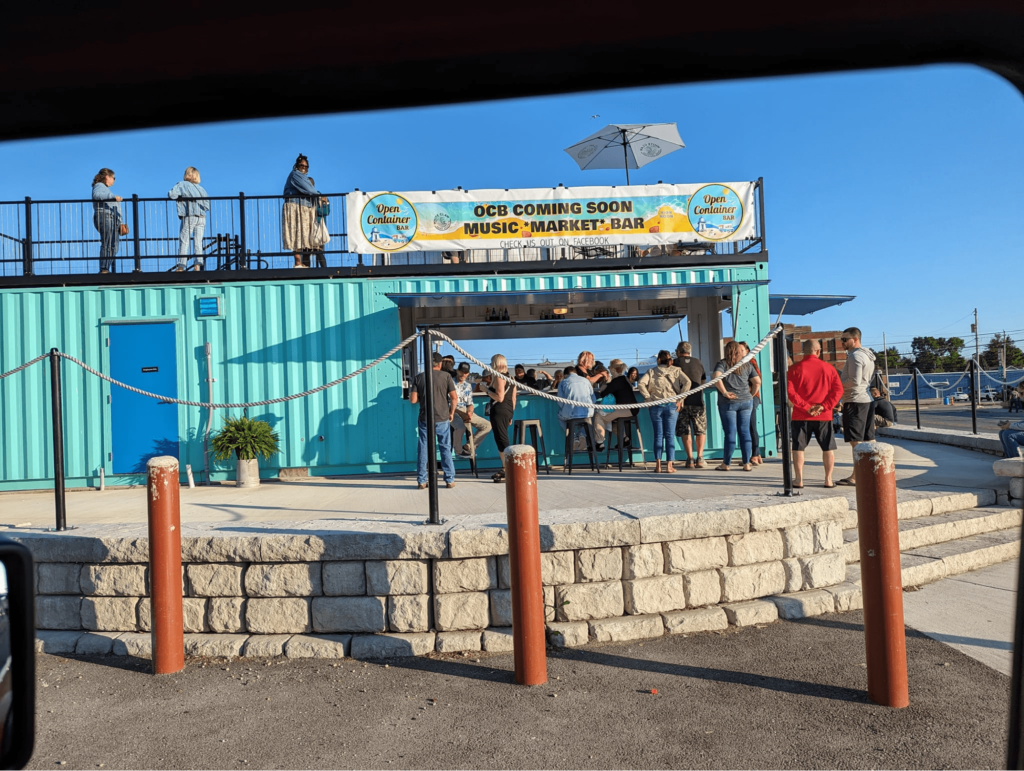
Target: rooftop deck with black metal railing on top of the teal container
55,243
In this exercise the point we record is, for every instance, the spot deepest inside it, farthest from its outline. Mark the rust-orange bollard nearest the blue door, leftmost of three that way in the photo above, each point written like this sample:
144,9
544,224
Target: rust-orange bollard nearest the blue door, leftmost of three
165,566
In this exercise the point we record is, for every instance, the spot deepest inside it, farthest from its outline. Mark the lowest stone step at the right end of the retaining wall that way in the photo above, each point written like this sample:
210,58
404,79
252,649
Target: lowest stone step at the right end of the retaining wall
931,564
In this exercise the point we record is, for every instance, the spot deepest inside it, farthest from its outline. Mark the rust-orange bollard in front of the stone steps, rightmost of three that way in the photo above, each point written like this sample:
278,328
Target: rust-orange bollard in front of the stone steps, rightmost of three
880,575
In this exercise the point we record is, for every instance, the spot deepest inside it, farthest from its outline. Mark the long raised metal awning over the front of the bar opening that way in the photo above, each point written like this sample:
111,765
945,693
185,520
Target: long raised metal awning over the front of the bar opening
569,297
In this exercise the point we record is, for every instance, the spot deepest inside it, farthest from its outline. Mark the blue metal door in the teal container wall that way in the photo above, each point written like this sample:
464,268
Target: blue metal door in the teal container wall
143,356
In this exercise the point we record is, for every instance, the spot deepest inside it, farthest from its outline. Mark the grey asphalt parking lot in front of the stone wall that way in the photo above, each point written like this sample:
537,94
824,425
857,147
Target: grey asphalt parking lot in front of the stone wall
786,696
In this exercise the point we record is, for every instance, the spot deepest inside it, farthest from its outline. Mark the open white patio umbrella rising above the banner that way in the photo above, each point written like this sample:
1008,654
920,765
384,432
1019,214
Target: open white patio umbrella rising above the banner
626,146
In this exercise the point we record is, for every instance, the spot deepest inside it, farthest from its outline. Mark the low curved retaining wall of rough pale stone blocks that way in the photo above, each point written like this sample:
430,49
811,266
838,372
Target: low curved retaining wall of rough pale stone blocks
608,574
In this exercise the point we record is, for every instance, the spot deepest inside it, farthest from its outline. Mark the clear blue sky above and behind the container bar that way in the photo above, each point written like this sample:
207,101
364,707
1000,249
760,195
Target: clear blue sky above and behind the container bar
899,187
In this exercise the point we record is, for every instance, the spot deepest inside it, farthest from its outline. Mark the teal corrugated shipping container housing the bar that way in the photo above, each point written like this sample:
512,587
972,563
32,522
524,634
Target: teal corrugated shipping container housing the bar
271,339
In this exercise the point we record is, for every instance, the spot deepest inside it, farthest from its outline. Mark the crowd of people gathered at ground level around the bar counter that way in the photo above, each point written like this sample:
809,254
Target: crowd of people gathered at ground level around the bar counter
819,395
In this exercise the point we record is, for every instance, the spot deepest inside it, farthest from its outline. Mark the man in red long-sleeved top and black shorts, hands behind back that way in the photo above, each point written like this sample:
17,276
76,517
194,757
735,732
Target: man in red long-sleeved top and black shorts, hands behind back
815,391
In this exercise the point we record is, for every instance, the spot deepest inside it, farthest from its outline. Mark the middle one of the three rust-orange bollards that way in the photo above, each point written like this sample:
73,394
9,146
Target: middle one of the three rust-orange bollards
525,562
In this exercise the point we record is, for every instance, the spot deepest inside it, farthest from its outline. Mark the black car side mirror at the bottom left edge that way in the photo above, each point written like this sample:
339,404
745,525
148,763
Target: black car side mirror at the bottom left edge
18,656
